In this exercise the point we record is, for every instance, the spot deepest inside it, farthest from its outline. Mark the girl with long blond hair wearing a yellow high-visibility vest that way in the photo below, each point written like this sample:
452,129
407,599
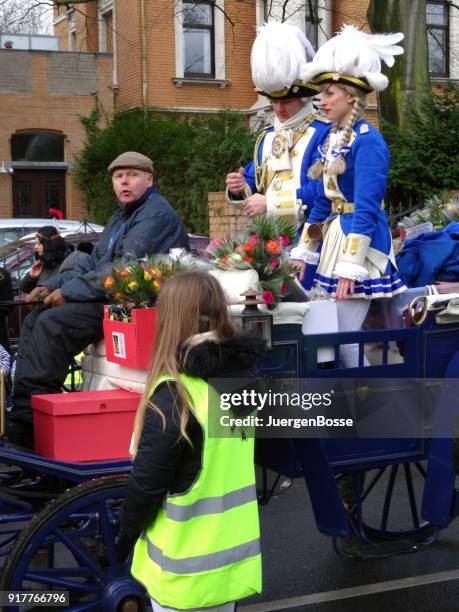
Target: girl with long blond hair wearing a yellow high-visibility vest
191,500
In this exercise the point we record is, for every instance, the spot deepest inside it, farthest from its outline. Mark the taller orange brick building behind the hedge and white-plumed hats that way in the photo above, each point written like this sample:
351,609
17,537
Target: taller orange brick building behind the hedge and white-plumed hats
152,42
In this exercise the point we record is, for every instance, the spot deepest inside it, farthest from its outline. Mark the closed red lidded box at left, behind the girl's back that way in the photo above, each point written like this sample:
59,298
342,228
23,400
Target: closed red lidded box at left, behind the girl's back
84,426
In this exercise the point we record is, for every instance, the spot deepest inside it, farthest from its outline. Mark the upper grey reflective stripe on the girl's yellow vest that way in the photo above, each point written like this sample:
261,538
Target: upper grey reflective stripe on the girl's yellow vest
211,505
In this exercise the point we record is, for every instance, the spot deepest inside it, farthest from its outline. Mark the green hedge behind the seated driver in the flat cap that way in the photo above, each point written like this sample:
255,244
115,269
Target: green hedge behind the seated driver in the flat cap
191,157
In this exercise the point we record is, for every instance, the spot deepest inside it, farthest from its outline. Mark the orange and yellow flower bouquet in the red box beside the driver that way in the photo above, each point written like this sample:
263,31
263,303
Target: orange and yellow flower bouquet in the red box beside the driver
139,282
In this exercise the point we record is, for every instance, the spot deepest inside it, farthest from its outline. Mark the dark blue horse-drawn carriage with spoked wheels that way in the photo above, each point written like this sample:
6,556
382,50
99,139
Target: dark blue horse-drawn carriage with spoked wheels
59,520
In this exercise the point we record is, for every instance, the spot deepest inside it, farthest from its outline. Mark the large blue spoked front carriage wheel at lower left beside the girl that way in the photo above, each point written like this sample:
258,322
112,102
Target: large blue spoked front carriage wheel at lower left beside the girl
69,546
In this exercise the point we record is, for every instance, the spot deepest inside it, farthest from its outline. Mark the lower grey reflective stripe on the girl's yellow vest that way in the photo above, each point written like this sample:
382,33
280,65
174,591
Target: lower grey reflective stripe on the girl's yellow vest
203,563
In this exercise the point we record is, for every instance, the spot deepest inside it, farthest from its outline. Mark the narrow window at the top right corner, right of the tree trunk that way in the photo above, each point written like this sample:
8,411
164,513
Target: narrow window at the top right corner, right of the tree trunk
437,19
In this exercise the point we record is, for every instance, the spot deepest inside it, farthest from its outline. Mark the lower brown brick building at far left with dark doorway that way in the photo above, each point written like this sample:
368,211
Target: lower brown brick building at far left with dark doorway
43,94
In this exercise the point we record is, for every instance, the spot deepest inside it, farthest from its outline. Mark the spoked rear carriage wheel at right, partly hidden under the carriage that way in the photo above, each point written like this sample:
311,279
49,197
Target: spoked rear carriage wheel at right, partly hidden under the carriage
383,507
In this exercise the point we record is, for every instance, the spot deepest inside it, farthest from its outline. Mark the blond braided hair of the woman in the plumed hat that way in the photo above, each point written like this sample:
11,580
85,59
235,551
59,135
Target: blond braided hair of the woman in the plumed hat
338,165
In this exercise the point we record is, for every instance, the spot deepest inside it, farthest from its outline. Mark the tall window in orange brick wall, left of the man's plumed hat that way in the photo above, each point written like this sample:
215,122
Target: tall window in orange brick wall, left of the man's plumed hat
198,39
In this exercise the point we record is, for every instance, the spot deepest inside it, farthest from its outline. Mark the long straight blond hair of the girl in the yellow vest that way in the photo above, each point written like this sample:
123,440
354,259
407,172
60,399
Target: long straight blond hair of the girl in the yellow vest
190,303
